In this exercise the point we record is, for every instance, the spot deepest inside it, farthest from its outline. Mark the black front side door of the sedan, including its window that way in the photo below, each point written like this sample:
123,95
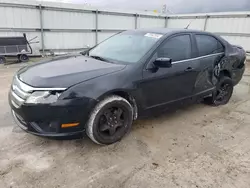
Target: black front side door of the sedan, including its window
167,85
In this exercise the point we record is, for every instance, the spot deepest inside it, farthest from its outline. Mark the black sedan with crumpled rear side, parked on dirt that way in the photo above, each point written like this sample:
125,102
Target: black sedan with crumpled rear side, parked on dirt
128,76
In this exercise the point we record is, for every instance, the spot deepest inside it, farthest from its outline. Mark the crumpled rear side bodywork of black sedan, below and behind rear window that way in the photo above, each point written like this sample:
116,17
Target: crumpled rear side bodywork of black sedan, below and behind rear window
226,63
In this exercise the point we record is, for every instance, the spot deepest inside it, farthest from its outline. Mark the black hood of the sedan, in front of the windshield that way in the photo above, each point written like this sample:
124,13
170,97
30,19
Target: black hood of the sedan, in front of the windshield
66,71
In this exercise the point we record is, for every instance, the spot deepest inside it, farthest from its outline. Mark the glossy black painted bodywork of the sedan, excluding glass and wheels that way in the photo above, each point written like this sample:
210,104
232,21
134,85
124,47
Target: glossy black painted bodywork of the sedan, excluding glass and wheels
89,80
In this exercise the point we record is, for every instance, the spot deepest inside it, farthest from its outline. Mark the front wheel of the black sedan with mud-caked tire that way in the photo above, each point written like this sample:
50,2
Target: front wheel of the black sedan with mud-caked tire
110,120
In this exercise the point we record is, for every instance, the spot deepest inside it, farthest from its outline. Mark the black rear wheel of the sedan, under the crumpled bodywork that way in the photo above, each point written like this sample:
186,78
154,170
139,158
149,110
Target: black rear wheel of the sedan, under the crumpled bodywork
223,93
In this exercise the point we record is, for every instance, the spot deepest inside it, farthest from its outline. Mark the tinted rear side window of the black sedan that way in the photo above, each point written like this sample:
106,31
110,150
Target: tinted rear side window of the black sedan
208,45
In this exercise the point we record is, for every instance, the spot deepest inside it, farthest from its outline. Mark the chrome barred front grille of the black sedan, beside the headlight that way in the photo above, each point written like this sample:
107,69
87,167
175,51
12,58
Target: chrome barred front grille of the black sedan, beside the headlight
19,92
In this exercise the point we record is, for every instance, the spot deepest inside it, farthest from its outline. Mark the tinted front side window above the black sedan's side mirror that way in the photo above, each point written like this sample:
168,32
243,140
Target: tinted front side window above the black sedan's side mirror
177,48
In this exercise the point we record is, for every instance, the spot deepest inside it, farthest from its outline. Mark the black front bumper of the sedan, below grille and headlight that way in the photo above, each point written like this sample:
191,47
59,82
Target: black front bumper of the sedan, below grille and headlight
47,119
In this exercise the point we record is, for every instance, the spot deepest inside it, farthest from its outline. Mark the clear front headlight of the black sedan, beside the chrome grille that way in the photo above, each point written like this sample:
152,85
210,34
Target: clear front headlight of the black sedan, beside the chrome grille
42,97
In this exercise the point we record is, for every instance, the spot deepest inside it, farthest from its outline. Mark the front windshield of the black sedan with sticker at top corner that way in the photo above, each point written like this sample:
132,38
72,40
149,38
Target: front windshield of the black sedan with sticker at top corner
125,47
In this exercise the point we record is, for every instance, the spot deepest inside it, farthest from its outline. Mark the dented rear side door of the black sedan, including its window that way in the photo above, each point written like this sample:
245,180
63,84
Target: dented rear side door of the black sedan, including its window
210,52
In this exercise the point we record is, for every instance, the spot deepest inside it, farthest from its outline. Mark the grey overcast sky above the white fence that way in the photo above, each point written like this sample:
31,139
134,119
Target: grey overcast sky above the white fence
176,6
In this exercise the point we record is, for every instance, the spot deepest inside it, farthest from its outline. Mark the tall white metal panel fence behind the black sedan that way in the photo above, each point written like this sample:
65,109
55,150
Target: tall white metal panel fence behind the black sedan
68,27
